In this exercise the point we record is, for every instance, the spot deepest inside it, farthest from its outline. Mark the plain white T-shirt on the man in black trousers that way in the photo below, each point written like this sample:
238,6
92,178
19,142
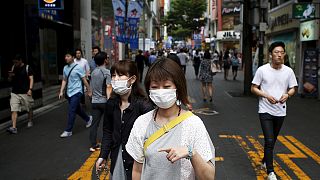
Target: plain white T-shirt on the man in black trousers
274,82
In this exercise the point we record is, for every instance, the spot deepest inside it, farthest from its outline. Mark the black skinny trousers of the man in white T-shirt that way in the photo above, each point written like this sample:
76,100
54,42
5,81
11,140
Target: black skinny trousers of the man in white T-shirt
271,126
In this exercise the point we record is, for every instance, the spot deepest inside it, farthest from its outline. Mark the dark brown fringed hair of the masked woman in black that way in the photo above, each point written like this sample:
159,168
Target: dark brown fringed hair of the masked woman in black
129,68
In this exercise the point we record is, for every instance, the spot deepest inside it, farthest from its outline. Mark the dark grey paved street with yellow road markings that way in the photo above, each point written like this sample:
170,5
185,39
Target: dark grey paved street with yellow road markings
232,122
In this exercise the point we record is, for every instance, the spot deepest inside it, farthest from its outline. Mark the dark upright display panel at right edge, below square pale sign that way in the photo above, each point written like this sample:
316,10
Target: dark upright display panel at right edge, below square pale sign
310,72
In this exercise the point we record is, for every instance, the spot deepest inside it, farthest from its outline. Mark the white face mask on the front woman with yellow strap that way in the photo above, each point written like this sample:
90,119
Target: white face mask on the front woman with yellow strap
163,98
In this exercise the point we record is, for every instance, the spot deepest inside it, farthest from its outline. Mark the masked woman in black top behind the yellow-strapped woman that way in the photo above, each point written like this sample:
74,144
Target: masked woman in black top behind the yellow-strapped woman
127,102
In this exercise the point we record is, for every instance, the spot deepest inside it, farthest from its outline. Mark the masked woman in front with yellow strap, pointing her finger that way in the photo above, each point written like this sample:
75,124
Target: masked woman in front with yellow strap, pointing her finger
170,142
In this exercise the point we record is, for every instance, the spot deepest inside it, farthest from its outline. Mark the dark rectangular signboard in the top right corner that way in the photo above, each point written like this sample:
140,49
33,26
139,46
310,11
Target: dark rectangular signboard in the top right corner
303,10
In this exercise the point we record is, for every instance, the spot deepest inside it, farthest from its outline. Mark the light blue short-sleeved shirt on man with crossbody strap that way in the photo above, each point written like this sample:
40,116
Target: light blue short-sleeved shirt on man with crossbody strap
75,79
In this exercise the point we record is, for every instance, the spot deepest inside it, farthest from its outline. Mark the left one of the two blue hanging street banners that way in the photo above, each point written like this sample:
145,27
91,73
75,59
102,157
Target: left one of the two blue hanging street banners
119,19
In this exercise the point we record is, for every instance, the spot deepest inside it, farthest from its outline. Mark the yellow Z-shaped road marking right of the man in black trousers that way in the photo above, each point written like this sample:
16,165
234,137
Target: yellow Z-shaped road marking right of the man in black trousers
286,158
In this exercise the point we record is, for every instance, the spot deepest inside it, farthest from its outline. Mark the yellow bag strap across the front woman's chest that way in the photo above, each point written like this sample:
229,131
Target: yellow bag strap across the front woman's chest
165,128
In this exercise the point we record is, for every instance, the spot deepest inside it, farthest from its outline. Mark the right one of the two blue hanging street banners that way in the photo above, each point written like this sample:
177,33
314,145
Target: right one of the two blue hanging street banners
133,15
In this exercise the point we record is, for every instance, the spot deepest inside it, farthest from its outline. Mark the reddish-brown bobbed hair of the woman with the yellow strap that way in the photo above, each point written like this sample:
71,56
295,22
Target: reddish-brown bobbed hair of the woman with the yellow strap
166,69
